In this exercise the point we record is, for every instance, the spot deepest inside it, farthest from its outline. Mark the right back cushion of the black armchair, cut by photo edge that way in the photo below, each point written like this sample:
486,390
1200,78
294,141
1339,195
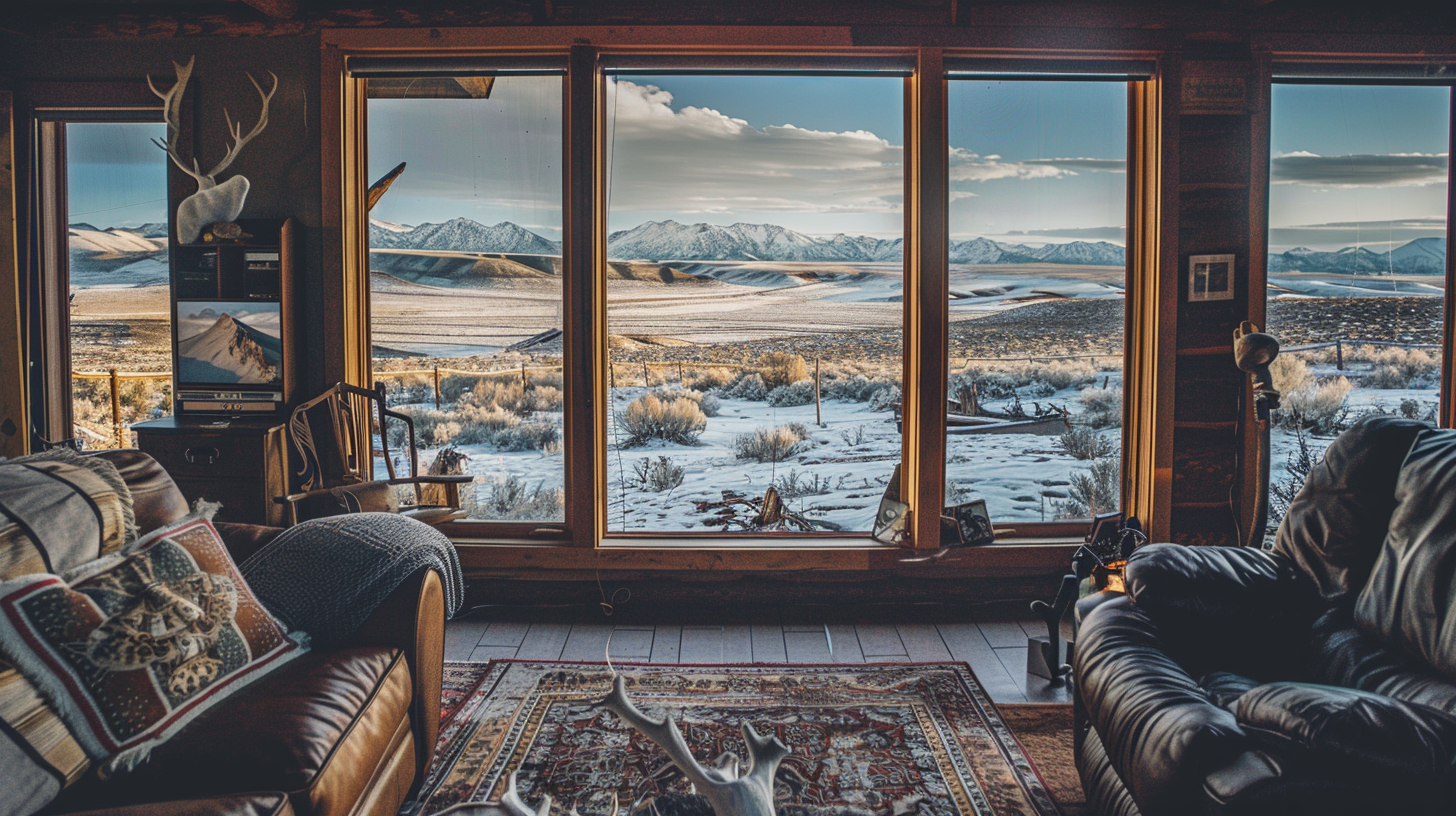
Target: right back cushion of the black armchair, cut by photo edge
1410,601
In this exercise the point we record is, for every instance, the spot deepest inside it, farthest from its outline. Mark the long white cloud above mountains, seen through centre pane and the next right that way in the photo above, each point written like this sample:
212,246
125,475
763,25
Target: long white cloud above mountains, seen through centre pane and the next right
701,161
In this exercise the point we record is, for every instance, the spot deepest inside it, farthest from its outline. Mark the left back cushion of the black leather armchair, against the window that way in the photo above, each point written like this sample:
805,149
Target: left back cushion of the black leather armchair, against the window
1334,528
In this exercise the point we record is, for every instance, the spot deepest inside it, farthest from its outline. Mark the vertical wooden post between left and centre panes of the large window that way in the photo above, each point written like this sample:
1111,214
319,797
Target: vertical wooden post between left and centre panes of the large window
586,297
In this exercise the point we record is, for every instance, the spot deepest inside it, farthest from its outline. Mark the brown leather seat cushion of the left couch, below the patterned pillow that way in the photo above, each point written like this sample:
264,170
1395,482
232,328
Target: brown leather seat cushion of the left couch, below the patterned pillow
318,729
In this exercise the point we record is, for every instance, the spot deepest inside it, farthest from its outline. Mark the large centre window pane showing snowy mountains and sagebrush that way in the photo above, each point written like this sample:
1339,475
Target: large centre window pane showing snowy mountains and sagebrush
753,302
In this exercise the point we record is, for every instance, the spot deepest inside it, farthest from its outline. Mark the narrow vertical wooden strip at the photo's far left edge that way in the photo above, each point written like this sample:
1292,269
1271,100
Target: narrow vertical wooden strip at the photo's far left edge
14,410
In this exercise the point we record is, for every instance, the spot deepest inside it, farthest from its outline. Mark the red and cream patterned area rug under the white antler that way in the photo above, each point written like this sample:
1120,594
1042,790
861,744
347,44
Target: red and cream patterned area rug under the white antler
867,741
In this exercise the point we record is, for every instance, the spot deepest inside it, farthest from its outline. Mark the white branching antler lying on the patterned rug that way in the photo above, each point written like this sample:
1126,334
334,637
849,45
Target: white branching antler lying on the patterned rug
729,792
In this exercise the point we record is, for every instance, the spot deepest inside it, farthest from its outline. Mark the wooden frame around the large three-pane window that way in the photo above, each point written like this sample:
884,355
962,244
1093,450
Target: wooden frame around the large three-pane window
518,547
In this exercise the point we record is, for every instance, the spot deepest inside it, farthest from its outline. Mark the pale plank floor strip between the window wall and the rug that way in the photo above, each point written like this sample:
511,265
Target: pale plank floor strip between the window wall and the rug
994,648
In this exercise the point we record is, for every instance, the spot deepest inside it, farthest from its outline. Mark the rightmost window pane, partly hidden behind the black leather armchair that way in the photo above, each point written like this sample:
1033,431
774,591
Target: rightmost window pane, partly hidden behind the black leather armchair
1358,263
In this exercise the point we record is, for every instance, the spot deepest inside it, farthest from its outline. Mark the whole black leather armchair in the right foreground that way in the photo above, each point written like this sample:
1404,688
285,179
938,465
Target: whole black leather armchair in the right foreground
1327,668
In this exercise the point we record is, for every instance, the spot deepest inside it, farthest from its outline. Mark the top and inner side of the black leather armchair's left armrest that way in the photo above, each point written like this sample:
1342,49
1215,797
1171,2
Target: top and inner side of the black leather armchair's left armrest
1228,608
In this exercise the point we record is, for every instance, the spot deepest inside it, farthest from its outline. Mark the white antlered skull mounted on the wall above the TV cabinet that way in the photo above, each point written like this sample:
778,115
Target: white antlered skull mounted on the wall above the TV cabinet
213,202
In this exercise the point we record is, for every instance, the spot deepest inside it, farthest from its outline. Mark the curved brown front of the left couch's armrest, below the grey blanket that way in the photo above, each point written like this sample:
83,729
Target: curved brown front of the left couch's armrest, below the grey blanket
413,620
